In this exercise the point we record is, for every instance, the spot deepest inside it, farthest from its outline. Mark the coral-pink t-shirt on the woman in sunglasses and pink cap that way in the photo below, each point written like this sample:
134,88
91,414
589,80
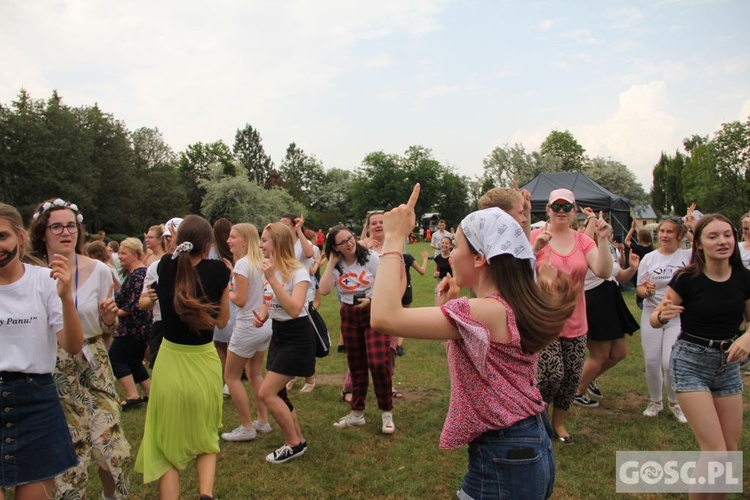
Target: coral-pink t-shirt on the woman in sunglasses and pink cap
576,266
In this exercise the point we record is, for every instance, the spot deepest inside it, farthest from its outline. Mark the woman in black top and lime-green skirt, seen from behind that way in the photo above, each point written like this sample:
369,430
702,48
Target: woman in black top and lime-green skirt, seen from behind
184,410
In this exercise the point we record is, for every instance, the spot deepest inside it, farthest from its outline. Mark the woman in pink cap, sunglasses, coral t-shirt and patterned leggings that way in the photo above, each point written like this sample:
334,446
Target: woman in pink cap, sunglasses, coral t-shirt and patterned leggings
570,251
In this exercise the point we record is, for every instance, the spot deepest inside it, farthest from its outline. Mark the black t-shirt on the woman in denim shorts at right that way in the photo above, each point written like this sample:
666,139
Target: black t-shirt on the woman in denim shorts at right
713,310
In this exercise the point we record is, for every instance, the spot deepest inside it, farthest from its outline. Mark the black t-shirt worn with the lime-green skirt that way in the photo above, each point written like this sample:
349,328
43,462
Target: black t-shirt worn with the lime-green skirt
214,276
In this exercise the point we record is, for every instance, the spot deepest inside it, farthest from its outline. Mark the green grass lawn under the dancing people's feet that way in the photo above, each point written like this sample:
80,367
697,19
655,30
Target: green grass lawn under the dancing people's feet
363,463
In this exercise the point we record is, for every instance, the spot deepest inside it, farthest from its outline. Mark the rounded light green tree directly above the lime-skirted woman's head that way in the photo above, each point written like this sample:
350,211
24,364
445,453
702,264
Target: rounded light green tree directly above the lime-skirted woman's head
195,164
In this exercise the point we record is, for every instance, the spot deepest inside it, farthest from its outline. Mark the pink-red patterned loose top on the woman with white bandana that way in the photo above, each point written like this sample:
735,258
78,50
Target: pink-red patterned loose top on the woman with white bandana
493,385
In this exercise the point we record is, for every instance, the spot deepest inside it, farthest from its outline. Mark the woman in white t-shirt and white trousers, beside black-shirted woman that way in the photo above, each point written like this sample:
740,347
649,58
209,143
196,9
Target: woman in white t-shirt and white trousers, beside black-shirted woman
654,274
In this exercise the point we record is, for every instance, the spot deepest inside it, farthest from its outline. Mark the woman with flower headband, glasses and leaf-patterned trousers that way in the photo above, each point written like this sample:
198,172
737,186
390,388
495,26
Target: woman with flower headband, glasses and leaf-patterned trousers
85,381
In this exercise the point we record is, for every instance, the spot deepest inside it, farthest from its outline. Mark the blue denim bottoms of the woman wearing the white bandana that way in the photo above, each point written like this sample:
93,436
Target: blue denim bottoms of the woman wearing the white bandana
516,462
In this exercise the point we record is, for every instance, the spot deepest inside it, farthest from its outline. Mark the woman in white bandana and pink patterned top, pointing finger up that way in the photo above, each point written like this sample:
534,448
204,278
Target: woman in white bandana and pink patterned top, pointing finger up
492,341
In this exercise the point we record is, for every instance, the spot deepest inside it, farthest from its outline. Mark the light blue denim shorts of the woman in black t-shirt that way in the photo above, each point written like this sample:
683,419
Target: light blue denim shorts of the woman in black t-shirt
695,368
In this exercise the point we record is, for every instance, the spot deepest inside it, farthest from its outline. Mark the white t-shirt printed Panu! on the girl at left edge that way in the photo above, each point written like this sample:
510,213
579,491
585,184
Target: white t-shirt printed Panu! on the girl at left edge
30,317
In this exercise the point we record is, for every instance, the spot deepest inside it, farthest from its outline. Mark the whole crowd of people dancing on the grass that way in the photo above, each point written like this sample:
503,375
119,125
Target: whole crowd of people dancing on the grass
179,318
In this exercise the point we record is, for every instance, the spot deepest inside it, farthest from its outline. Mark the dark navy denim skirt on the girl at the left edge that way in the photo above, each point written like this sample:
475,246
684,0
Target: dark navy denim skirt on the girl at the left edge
35,442
